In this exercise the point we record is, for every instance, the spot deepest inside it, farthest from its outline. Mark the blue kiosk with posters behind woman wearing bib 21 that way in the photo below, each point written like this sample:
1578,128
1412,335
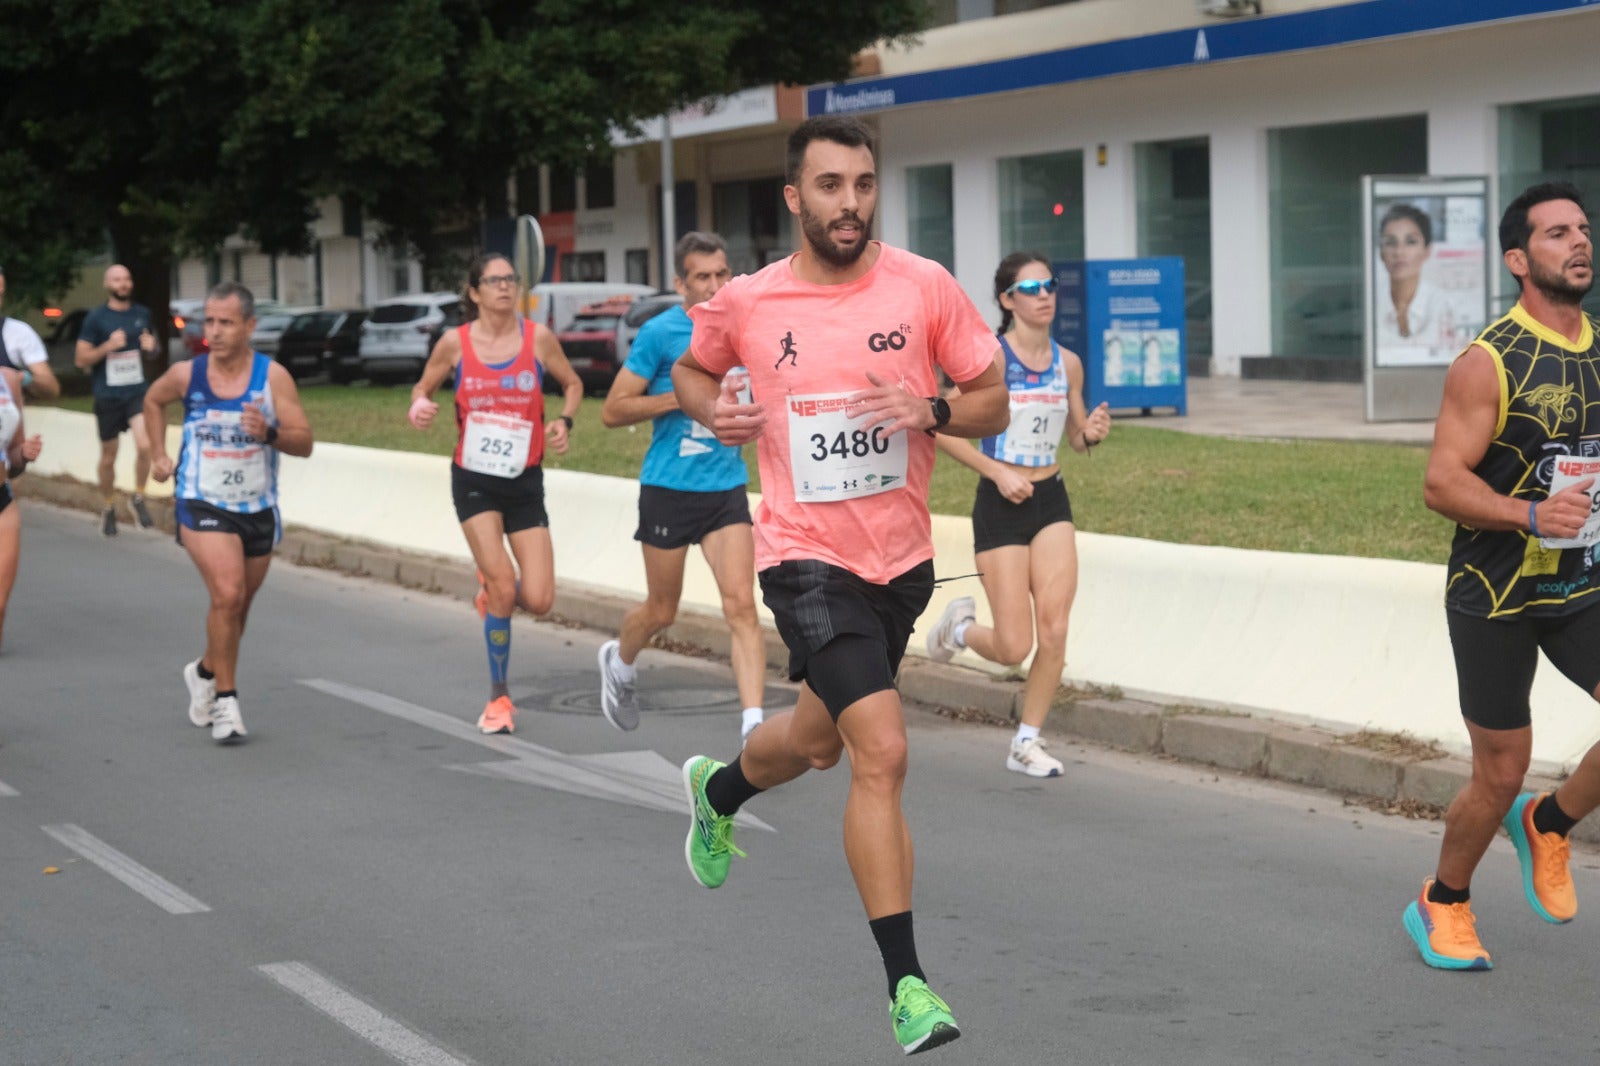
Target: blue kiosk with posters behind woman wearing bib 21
1126,321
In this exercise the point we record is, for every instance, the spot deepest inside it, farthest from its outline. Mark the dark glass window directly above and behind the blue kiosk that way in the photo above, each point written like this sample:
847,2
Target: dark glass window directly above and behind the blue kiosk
1175,220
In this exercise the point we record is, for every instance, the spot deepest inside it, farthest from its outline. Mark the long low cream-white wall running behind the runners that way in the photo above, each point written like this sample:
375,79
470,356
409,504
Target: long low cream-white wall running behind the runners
1326,639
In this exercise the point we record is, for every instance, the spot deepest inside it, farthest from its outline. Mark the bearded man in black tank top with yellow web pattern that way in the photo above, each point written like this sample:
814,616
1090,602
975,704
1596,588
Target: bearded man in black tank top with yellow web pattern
1519,401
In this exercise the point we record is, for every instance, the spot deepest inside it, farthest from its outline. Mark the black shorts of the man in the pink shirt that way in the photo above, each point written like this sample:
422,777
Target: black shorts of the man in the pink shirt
817,604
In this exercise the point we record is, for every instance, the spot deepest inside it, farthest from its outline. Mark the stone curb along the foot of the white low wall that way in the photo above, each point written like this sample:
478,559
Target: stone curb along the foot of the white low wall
1401,775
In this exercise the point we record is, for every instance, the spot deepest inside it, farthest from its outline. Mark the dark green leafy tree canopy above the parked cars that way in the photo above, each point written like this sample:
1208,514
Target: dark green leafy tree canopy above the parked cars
162,129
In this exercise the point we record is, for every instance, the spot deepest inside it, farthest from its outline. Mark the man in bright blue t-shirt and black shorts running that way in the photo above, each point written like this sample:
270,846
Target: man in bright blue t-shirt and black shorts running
690,492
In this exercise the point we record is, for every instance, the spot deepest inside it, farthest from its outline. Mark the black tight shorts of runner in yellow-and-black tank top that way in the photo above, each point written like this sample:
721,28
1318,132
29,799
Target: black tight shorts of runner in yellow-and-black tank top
1495,662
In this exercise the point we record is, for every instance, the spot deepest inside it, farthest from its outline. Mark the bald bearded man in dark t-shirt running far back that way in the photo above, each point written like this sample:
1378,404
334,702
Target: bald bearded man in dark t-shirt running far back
113,347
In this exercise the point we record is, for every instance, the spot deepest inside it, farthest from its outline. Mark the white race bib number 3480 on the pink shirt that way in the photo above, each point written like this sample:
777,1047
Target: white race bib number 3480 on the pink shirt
833,457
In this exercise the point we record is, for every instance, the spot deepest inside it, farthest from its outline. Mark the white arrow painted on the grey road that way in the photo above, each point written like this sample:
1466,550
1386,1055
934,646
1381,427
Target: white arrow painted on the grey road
641,779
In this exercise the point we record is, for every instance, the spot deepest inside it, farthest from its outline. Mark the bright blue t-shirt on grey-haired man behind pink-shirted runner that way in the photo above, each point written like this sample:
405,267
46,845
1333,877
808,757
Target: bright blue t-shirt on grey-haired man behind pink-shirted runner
682,454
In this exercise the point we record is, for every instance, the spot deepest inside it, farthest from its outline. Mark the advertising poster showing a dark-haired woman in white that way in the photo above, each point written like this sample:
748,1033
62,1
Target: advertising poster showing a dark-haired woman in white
1428,291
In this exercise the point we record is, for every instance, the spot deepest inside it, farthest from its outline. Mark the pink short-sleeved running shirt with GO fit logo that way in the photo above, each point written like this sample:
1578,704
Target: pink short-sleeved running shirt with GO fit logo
830,492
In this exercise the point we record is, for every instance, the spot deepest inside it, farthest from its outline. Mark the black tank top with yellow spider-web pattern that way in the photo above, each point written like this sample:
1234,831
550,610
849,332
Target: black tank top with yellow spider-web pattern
1550,407
